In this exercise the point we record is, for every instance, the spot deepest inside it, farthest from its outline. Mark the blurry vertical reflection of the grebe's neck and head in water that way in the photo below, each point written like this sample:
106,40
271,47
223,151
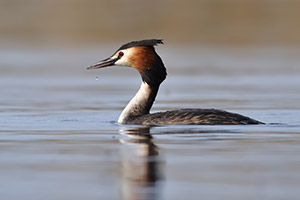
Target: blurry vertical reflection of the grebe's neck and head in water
140,166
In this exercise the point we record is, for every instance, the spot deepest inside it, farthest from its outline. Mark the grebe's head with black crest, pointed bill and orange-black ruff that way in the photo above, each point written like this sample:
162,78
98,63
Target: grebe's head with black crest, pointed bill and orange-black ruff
140,55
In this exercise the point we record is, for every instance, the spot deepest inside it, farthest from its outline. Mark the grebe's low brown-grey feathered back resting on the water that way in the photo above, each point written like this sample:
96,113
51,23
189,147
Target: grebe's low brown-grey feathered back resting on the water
193,117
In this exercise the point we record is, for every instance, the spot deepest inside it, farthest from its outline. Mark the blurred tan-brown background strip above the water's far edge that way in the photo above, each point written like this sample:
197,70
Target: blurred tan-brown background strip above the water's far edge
74,22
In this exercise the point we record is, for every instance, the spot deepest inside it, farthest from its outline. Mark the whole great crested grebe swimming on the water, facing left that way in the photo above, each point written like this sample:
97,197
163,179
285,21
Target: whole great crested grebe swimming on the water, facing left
142,56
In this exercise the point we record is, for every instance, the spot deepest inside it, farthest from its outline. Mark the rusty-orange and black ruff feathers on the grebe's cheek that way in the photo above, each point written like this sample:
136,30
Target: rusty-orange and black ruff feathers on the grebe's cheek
149,64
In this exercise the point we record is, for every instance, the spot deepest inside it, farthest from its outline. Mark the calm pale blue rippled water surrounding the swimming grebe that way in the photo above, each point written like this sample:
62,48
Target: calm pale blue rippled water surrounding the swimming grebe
59,138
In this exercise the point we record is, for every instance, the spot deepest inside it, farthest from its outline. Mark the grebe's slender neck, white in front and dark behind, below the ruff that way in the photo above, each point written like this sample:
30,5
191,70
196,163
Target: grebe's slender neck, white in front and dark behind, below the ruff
140,104
